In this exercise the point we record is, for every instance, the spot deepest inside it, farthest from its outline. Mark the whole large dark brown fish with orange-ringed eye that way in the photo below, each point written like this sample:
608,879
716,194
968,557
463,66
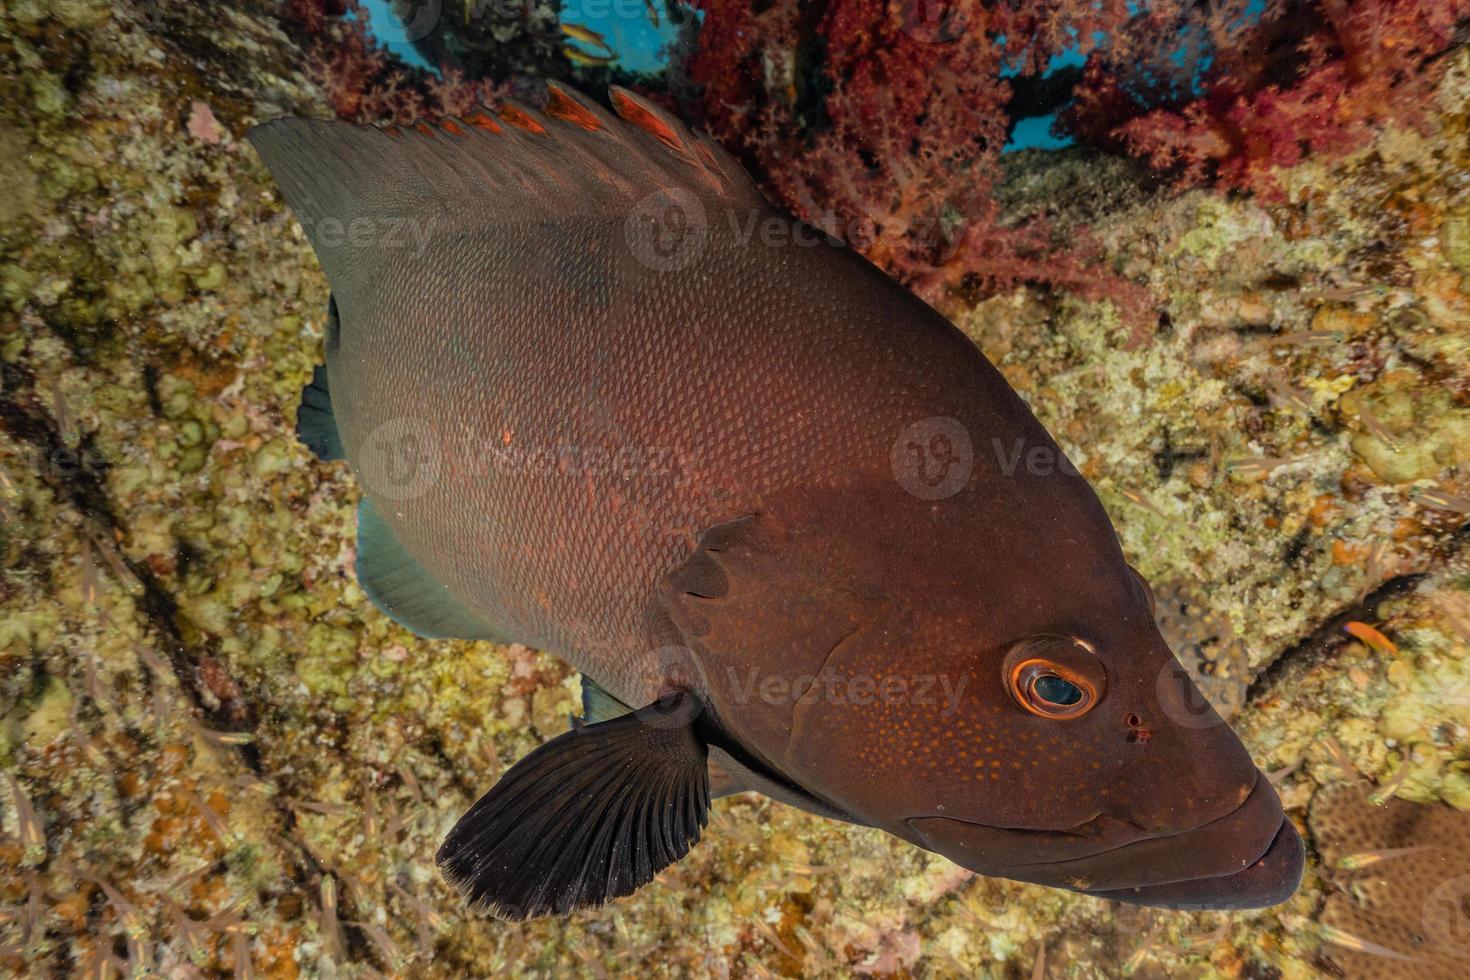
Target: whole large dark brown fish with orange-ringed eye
608,402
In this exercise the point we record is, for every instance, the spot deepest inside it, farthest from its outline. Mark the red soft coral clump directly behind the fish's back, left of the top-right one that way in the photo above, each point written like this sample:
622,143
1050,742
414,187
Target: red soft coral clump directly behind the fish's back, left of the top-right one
883,124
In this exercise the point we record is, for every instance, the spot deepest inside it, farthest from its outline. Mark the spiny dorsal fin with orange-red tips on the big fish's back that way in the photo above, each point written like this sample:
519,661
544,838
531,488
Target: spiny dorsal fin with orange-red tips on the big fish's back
465,176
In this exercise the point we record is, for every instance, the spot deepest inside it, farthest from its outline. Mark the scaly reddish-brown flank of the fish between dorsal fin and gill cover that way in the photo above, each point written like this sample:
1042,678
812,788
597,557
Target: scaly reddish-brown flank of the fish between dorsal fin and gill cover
770,371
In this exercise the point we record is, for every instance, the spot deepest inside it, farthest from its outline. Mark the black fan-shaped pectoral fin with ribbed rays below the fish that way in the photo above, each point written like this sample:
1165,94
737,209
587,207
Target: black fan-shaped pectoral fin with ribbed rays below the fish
589,818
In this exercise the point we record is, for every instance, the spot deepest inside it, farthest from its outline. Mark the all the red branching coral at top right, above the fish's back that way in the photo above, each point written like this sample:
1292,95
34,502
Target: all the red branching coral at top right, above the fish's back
883,120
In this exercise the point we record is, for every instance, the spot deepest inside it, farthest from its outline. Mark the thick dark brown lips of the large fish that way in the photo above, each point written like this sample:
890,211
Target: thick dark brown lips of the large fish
1249,859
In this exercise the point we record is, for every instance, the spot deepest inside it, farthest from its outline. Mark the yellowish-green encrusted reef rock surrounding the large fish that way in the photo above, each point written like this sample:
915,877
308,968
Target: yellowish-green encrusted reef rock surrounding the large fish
218,757
